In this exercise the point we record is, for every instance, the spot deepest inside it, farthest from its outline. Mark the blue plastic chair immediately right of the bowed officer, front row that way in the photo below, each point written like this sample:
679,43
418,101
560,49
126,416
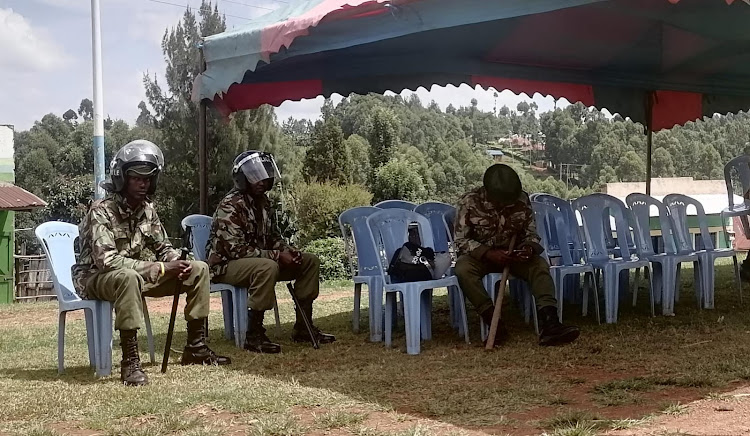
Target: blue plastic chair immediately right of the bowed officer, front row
554,234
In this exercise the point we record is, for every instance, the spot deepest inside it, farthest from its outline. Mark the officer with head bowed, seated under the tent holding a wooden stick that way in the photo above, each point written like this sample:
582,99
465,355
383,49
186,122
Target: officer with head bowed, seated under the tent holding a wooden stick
487,219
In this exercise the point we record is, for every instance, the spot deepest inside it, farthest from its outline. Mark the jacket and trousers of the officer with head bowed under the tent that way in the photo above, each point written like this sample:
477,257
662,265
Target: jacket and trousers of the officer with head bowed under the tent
480,226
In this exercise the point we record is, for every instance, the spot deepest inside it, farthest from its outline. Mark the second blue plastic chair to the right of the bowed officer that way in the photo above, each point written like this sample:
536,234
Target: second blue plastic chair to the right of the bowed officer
595,210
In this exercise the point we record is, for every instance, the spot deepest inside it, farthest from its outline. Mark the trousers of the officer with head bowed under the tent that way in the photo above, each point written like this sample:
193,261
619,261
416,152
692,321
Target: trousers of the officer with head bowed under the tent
535,272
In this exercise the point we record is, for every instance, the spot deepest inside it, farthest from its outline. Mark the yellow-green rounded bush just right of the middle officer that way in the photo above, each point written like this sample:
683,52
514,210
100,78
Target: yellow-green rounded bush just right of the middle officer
320,204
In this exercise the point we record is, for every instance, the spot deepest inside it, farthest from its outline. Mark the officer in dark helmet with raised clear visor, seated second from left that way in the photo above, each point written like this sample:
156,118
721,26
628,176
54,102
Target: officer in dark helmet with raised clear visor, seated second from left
245,249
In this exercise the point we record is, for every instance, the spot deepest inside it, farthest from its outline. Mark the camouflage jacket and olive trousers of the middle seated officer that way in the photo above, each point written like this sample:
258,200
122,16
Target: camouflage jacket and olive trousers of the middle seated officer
244,247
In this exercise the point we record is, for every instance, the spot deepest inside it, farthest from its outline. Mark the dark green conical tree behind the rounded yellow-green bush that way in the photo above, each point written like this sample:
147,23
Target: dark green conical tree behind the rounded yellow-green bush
327,159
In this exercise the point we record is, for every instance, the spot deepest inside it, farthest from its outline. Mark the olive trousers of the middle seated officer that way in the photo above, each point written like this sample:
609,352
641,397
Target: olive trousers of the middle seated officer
259,276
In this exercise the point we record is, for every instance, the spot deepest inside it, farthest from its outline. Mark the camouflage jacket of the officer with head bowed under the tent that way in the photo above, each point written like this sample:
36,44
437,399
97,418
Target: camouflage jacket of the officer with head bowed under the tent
480,226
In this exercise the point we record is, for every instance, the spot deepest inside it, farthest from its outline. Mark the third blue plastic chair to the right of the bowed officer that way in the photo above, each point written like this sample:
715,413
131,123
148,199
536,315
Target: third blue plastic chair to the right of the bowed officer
664,265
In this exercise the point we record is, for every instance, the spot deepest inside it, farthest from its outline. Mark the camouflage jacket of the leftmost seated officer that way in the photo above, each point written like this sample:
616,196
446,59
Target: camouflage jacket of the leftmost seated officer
113,236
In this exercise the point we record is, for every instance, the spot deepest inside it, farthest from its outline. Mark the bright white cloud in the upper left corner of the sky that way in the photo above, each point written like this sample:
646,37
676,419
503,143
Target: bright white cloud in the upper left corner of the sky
24,48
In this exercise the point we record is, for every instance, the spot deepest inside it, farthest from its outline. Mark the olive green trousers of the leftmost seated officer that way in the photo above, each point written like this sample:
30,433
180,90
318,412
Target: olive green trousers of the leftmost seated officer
125,288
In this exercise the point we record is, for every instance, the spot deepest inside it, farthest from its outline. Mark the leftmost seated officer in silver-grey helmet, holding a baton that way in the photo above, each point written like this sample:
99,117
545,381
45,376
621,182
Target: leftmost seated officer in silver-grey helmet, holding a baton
113,235
